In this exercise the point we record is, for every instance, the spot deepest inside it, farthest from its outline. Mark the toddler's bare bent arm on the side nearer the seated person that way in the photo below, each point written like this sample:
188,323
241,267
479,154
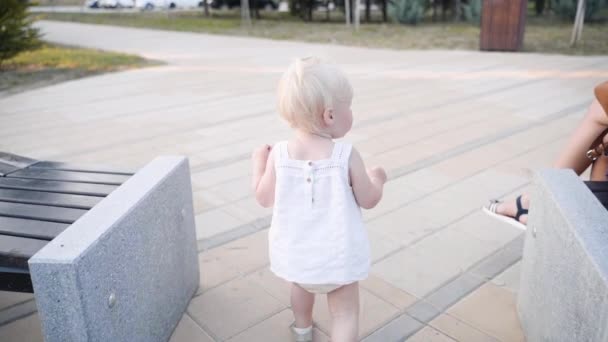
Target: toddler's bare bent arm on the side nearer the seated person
367,184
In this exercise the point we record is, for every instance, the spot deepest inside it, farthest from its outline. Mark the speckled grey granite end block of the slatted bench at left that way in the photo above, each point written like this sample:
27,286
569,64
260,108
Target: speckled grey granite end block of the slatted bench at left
126,270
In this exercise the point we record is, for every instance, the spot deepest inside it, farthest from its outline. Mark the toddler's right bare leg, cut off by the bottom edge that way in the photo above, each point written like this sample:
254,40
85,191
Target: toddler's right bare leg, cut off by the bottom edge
344,310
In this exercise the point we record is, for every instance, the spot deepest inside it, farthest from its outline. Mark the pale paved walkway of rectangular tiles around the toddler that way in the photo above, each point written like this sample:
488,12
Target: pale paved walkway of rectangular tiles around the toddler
452,128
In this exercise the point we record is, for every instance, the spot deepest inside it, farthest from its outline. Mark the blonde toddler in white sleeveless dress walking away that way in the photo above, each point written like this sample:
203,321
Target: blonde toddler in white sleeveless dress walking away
316,186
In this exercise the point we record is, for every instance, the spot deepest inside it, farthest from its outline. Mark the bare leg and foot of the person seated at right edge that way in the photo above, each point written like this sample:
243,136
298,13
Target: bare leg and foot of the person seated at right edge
573,156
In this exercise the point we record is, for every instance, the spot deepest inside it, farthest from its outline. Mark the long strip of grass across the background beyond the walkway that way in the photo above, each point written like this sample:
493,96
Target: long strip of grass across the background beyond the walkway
544,35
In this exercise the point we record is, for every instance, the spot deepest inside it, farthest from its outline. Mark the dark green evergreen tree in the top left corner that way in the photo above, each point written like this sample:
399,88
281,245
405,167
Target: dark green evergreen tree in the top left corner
16,31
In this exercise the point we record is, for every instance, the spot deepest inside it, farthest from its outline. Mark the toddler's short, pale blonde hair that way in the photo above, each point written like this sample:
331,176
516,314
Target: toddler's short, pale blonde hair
307,89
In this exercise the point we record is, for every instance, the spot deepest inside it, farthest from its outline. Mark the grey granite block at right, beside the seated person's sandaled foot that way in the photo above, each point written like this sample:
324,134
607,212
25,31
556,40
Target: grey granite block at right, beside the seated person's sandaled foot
563,292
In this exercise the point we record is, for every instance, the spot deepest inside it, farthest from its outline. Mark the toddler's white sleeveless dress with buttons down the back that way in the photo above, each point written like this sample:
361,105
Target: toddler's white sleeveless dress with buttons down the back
317,235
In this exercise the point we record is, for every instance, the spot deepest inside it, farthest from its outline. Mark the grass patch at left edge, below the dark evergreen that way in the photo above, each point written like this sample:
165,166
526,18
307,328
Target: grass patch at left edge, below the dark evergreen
53,64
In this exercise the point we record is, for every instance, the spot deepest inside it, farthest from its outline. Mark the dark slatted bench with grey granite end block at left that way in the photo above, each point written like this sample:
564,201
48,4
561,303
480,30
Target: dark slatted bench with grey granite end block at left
110,256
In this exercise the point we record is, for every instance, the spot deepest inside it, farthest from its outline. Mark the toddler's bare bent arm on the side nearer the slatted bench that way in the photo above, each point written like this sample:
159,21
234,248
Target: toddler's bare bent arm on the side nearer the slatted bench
263,178
